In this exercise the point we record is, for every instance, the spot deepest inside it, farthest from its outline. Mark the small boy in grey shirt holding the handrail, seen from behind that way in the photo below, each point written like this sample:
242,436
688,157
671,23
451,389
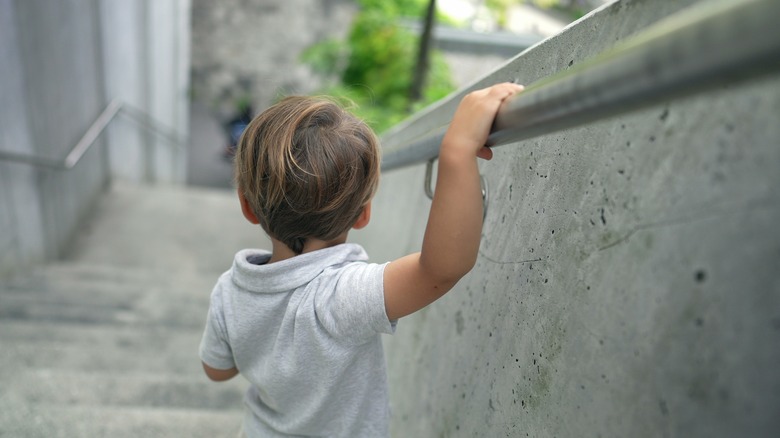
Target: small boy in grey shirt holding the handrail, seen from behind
302,323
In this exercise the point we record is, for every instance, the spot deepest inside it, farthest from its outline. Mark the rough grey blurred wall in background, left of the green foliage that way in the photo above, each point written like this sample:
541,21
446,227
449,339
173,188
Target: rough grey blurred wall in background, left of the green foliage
251,48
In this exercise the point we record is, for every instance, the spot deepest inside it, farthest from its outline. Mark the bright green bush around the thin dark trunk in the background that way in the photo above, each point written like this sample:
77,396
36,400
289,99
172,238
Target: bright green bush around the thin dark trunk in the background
373,68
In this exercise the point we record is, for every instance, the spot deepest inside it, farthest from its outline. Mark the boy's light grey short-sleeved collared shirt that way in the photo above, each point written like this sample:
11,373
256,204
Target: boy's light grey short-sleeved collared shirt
305,332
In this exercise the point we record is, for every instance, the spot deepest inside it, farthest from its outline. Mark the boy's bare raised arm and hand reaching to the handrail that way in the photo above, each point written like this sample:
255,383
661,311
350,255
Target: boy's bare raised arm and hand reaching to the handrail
452,236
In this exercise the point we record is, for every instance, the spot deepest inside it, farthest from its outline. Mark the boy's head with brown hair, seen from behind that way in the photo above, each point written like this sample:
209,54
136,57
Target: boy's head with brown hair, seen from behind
307,168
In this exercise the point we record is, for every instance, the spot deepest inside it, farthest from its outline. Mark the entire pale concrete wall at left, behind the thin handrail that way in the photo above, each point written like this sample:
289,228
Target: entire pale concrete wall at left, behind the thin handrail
62,62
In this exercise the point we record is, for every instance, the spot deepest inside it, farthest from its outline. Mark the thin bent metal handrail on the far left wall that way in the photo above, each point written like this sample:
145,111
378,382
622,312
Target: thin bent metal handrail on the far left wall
100,124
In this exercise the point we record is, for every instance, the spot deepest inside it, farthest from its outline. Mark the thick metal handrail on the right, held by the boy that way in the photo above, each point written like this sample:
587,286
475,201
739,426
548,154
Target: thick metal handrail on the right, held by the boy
705,46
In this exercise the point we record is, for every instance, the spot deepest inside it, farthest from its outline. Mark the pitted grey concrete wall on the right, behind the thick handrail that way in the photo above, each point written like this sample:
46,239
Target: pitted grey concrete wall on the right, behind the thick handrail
628,282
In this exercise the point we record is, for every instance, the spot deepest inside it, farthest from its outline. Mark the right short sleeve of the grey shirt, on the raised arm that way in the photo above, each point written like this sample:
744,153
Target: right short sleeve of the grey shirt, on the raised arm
353,306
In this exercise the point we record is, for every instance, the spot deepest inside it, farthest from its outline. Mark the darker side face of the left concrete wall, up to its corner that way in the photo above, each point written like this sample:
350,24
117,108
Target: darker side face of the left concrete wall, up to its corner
52,90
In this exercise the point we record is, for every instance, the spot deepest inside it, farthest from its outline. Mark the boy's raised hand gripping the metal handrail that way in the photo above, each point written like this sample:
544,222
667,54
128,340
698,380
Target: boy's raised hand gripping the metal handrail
471,123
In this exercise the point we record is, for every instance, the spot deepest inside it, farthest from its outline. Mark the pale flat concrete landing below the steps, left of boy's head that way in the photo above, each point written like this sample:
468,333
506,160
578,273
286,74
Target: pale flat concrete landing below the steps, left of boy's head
167,227
